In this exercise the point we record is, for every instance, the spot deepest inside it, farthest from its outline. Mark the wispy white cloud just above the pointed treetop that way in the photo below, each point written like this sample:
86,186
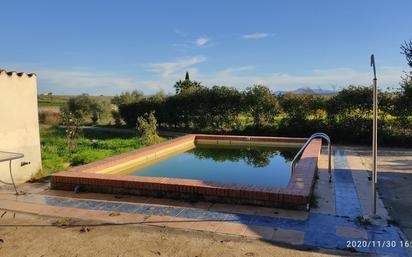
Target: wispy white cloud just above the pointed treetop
170,69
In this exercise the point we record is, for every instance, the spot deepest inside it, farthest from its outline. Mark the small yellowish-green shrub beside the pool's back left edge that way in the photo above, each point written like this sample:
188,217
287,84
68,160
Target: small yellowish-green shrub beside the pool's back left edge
147,129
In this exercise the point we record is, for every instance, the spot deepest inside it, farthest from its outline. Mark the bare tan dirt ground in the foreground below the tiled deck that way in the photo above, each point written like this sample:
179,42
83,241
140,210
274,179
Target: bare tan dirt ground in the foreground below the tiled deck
28,235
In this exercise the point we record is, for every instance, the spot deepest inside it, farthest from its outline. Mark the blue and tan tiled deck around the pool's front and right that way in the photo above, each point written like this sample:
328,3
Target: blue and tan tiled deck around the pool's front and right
330,226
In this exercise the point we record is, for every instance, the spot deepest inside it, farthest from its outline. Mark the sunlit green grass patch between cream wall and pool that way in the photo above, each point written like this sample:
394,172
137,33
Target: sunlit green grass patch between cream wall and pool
91,146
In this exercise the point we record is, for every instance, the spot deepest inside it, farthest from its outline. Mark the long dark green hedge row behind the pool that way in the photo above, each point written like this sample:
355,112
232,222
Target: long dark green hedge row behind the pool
345,116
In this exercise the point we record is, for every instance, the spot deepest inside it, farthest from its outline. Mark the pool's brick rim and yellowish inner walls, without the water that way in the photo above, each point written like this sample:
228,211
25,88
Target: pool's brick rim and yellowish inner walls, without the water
99,176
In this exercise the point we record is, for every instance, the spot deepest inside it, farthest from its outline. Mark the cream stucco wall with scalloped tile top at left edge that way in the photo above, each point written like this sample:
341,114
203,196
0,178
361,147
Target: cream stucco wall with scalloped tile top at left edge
19,125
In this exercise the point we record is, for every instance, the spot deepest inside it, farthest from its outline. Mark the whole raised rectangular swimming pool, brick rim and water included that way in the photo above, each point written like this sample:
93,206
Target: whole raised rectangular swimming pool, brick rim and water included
220,168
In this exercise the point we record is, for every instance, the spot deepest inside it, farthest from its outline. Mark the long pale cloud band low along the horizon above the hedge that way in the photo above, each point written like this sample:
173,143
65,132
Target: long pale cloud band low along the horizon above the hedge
166,74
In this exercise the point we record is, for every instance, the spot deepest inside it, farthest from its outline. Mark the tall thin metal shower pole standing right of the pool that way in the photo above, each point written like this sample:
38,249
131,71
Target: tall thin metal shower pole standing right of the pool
374,136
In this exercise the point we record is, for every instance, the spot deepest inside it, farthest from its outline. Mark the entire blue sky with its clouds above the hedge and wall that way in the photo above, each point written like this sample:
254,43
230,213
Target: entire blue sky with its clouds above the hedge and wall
106,47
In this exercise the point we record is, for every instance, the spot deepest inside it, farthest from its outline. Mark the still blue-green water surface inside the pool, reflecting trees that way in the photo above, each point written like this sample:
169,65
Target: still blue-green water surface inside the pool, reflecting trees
260,166
